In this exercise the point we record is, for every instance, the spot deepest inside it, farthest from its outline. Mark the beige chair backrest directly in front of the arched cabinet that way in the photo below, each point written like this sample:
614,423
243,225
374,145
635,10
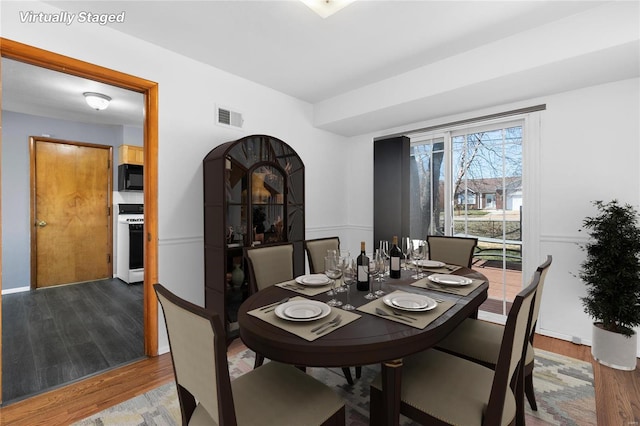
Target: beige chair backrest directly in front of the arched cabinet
269,265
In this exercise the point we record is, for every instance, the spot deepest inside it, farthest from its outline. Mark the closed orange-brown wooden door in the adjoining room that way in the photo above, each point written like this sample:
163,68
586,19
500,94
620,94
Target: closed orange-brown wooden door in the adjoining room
72,230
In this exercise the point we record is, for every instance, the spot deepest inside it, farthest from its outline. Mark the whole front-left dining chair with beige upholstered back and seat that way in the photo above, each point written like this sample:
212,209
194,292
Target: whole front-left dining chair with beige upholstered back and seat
274,394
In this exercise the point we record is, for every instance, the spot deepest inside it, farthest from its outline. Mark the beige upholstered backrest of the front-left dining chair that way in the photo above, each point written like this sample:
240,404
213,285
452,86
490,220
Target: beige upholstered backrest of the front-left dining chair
198,351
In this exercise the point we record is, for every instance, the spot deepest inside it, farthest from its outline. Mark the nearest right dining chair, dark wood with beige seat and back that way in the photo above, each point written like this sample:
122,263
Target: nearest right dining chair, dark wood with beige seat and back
440,388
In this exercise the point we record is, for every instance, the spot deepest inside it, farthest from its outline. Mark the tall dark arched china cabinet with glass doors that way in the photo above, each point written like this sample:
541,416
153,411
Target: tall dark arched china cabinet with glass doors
253,195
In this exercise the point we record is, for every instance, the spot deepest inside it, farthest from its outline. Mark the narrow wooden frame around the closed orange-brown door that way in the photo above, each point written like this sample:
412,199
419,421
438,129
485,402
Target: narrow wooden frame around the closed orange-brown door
33,140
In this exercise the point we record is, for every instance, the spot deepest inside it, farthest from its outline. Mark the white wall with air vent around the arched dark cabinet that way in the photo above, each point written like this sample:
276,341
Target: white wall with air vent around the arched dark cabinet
188,94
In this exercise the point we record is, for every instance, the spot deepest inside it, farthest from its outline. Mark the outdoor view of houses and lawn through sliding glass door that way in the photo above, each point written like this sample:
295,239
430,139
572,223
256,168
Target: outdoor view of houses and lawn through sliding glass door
486,197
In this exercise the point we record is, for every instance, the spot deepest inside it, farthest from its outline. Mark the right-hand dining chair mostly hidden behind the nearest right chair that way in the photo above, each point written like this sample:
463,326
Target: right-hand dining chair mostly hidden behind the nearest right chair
479,340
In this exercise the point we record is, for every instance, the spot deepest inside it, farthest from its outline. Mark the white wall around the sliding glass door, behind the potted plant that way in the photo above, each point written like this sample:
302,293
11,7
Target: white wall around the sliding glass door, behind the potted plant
589,150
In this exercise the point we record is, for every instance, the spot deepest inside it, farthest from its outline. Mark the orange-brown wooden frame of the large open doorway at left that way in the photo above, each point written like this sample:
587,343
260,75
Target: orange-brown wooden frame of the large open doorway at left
46,59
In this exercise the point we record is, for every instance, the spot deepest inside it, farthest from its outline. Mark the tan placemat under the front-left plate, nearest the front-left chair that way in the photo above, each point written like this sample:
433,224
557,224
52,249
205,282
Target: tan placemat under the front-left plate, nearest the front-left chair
304,328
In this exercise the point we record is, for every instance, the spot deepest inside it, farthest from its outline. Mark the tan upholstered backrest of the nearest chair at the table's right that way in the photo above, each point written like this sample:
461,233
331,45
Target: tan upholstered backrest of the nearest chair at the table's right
512,350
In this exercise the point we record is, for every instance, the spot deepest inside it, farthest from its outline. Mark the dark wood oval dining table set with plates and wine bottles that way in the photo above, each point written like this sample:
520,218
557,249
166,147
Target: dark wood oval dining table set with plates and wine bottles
368,340
